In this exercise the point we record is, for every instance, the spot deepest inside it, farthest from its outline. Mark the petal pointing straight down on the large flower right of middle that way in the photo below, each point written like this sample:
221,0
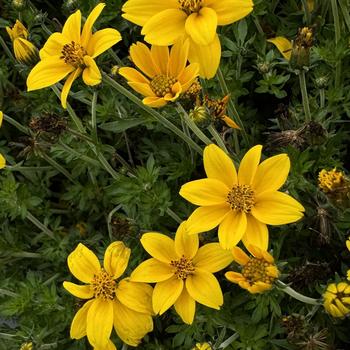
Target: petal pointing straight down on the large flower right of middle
232,229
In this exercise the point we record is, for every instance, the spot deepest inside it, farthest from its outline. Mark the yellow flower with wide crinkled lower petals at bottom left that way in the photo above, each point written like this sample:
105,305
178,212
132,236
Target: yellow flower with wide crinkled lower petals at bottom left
125,305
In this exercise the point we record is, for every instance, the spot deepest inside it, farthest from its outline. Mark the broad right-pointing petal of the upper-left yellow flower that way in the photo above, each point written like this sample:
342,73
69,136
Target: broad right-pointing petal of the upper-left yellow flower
102,40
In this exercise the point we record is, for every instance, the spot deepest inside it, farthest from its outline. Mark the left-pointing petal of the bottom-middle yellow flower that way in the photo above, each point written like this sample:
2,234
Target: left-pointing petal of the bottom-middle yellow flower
151,271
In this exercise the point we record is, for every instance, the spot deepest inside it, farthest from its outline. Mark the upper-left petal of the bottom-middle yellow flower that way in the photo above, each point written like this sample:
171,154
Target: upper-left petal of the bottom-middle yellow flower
159,246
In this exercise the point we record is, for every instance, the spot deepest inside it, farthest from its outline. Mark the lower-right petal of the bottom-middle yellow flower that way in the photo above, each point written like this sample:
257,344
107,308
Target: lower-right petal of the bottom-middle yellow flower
204,288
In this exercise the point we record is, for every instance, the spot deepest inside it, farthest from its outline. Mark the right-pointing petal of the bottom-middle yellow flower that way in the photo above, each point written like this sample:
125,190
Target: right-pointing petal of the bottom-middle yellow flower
212,258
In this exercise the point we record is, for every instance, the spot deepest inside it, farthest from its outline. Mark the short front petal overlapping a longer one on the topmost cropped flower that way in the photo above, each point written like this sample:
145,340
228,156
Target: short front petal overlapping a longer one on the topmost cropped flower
201,26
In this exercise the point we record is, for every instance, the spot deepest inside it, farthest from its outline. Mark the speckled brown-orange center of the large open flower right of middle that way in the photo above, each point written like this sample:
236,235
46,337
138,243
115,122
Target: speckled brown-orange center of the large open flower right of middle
241,198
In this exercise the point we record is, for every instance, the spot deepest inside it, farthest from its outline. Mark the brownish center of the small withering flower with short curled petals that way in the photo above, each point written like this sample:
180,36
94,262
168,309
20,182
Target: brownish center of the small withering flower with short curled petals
257,270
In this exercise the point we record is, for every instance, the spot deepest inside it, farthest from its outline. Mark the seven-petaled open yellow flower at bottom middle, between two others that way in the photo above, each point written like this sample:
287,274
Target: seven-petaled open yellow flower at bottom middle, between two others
183,273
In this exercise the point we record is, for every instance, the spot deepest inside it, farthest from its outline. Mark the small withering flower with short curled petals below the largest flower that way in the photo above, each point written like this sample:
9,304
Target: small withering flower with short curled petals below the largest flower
258,272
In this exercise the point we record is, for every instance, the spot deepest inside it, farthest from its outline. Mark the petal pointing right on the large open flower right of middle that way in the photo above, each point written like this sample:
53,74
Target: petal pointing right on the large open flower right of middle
277,208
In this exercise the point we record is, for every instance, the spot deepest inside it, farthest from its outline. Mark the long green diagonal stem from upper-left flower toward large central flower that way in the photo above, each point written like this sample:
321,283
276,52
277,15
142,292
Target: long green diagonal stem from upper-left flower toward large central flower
165,122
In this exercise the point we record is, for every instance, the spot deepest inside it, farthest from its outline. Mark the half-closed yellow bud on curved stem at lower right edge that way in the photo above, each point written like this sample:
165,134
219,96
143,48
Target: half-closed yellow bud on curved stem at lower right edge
337,299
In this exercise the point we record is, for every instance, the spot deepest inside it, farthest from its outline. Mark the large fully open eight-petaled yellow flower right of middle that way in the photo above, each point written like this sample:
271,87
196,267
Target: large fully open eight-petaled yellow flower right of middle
241,204
